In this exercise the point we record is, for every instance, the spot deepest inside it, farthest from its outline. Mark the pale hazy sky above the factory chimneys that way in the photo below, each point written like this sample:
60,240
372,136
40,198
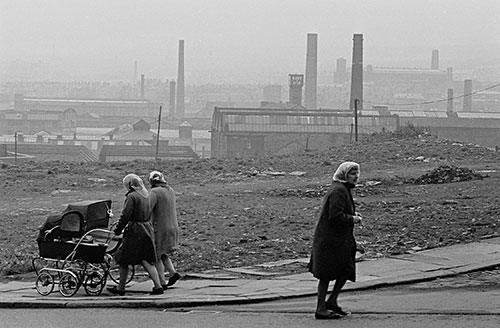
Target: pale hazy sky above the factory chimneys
239,36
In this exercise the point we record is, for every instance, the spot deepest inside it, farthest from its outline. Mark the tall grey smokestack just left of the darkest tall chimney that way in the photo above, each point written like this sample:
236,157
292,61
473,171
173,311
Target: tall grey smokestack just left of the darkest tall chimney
311,82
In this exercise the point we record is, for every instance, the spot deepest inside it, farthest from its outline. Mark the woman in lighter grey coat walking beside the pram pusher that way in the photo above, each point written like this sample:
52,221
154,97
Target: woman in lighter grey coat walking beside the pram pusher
164,218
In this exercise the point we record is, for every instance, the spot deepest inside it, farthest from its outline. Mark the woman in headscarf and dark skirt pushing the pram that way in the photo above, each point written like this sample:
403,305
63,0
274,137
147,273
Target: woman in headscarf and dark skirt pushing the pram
138,246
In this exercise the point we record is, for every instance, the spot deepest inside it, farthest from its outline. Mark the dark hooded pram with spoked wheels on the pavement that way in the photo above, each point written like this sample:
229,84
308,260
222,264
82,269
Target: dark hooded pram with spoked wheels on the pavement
75,249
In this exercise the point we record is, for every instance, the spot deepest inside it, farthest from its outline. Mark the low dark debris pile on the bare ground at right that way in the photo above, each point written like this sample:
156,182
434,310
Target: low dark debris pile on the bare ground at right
448,174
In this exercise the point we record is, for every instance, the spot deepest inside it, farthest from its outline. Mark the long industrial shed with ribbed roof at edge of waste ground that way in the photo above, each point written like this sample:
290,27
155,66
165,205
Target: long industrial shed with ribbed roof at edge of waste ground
251,132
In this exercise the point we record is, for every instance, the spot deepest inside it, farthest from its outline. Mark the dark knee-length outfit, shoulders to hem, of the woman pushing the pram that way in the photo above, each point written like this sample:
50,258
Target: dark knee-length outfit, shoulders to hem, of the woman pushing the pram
138,236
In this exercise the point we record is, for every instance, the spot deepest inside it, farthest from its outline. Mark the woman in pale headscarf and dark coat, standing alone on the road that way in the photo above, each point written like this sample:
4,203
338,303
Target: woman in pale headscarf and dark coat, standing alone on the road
334,247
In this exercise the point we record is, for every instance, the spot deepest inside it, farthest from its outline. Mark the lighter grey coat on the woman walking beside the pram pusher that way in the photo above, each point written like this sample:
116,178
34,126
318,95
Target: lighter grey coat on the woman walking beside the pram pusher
164,219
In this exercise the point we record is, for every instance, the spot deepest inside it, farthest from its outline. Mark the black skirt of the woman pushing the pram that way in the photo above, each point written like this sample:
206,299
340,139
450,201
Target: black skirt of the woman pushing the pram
138,244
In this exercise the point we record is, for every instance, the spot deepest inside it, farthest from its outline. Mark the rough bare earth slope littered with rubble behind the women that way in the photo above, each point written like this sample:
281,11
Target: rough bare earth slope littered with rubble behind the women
239,212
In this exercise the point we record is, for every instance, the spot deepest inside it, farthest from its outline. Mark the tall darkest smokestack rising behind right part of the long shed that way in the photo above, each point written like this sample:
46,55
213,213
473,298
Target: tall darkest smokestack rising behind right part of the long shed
357,72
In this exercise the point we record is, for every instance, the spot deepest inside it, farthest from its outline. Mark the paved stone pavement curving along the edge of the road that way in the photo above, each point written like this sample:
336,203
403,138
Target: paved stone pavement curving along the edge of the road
256,284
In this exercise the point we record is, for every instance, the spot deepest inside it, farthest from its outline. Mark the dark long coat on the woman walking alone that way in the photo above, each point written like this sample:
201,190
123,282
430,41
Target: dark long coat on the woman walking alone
334,247
